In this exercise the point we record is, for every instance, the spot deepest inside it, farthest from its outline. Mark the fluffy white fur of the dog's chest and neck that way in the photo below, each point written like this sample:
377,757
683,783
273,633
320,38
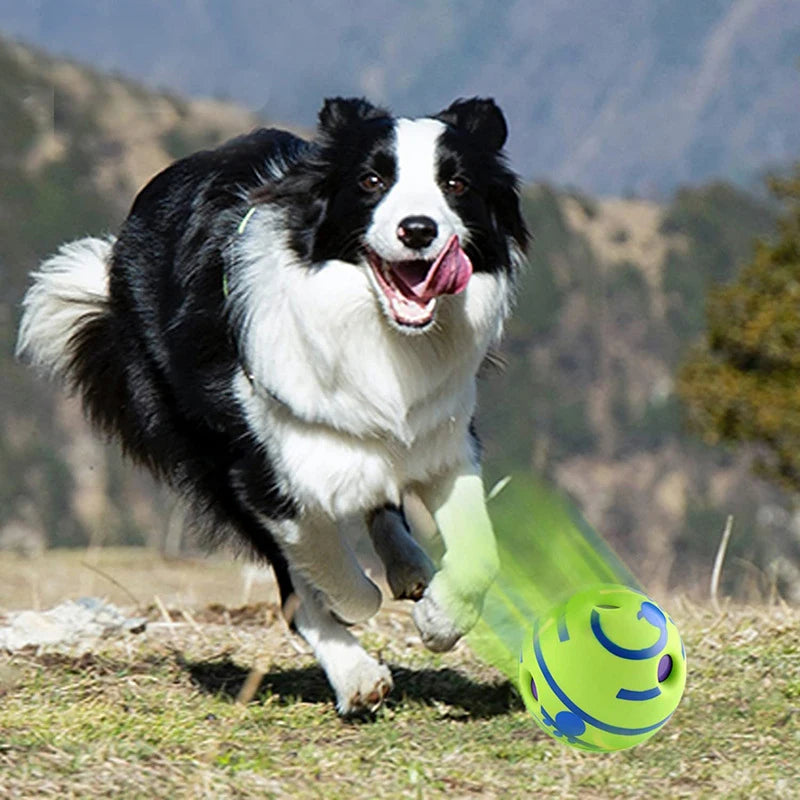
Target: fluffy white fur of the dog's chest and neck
349,410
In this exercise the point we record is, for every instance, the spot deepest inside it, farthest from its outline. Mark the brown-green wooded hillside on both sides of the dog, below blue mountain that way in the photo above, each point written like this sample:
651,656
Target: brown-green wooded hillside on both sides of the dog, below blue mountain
613,295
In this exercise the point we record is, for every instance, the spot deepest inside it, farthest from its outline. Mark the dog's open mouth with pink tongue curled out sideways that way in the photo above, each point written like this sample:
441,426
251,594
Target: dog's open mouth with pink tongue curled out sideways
411,288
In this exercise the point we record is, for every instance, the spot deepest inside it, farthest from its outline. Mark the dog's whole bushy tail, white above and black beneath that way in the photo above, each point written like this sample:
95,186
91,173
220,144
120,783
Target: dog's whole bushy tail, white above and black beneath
67,328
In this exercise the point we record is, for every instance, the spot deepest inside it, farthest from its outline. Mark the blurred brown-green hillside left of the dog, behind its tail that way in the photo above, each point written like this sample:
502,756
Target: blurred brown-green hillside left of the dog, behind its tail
76,146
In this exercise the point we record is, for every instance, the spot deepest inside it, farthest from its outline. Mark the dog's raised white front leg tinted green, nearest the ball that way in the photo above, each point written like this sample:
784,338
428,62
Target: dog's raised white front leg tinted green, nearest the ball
452,603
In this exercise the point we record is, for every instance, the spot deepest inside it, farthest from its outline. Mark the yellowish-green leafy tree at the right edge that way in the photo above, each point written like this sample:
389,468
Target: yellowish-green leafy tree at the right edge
742,384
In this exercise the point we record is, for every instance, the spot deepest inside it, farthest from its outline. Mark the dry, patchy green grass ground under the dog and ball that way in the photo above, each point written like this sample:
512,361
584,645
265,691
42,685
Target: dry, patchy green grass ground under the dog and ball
155,715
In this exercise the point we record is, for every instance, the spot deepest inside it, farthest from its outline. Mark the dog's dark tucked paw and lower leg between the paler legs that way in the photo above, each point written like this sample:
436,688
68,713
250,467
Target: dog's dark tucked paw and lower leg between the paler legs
408,568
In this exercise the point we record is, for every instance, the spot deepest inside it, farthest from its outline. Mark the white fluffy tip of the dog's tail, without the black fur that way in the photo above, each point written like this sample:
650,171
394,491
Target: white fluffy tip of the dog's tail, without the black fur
70,288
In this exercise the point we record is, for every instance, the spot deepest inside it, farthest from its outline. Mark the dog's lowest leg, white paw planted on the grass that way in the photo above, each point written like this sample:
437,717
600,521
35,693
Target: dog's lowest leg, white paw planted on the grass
360,681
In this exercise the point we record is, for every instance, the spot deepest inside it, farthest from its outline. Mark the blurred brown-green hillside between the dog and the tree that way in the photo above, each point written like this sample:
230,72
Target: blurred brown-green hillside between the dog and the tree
614,296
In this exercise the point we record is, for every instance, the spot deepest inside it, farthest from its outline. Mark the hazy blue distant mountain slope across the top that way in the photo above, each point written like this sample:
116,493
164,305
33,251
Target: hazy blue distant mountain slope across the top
613,97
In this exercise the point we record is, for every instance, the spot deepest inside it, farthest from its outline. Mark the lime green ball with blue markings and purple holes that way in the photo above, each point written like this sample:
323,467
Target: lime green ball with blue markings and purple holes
603,671
